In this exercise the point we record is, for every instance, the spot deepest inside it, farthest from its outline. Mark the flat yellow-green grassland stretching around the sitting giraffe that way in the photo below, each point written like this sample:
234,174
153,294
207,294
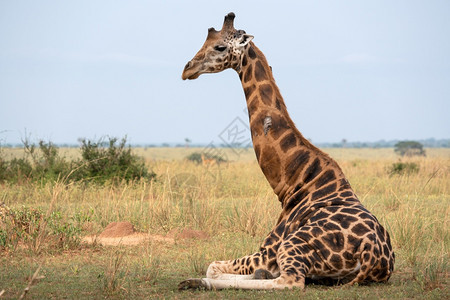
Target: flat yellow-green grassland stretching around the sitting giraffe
234,205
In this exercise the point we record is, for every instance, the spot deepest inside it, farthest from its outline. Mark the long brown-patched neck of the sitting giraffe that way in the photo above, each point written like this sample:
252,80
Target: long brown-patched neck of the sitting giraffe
291,164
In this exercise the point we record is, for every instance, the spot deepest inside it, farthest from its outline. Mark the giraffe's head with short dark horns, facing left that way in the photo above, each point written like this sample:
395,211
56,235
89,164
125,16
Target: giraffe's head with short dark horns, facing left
222,50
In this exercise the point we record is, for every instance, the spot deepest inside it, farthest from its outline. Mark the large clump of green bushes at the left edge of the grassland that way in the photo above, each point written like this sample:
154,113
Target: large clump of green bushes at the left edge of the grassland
100,162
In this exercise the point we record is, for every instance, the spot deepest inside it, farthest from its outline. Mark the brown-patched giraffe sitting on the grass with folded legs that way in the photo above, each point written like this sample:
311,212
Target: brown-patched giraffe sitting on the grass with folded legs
323,231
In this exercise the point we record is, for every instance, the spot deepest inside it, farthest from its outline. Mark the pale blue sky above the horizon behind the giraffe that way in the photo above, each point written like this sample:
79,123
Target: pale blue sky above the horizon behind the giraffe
359,70
